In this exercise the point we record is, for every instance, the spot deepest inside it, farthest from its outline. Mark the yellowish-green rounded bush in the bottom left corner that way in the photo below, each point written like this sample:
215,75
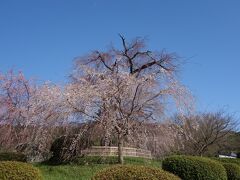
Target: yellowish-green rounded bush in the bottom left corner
18,171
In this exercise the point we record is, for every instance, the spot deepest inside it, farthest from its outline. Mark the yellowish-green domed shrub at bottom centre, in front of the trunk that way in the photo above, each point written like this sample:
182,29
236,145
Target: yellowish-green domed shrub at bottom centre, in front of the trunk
131,172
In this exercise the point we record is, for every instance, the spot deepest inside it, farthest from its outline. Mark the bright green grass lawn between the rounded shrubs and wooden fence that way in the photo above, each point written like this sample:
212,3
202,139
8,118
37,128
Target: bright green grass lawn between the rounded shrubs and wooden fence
84,172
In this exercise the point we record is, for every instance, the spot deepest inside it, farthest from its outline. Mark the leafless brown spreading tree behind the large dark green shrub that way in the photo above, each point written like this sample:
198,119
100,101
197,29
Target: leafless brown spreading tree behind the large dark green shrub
199,132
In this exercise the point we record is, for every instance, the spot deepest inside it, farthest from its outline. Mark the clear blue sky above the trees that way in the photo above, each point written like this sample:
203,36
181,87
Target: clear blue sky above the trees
42,37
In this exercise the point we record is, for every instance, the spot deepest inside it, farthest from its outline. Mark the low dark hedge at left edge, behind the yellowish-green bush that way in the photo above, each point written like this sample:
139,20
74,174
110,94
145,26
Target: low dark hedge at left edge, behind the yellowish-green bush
12,156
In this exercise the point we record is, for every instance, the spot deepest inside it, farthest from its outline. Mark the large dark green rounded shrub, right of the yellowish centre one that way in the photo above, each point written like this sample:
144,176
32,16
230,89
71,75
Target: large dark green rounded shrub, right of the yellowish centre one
194,168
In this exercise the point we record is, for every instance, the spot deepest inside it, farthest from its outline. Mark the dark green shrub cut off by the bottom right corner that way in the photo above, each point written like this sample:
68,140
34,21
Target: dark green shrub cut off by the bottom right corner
233,171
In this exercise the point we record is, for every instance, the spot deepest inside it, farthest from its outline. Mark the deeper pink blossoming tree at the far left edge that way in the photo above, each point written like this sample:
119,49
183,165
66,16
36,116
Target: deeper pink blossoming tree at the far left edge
15,94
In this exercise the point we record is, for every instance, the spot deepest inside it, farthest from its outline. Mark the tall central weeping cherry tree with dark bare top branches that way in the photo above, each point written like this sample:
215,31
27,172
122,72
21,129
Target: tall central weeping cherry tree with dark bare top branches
121,89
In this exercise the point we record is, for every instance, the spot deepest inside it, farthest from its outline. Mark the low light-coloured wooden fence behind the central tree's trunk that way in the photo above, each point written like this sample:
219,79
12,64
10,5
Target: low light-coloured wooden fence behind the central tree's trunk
113,151
